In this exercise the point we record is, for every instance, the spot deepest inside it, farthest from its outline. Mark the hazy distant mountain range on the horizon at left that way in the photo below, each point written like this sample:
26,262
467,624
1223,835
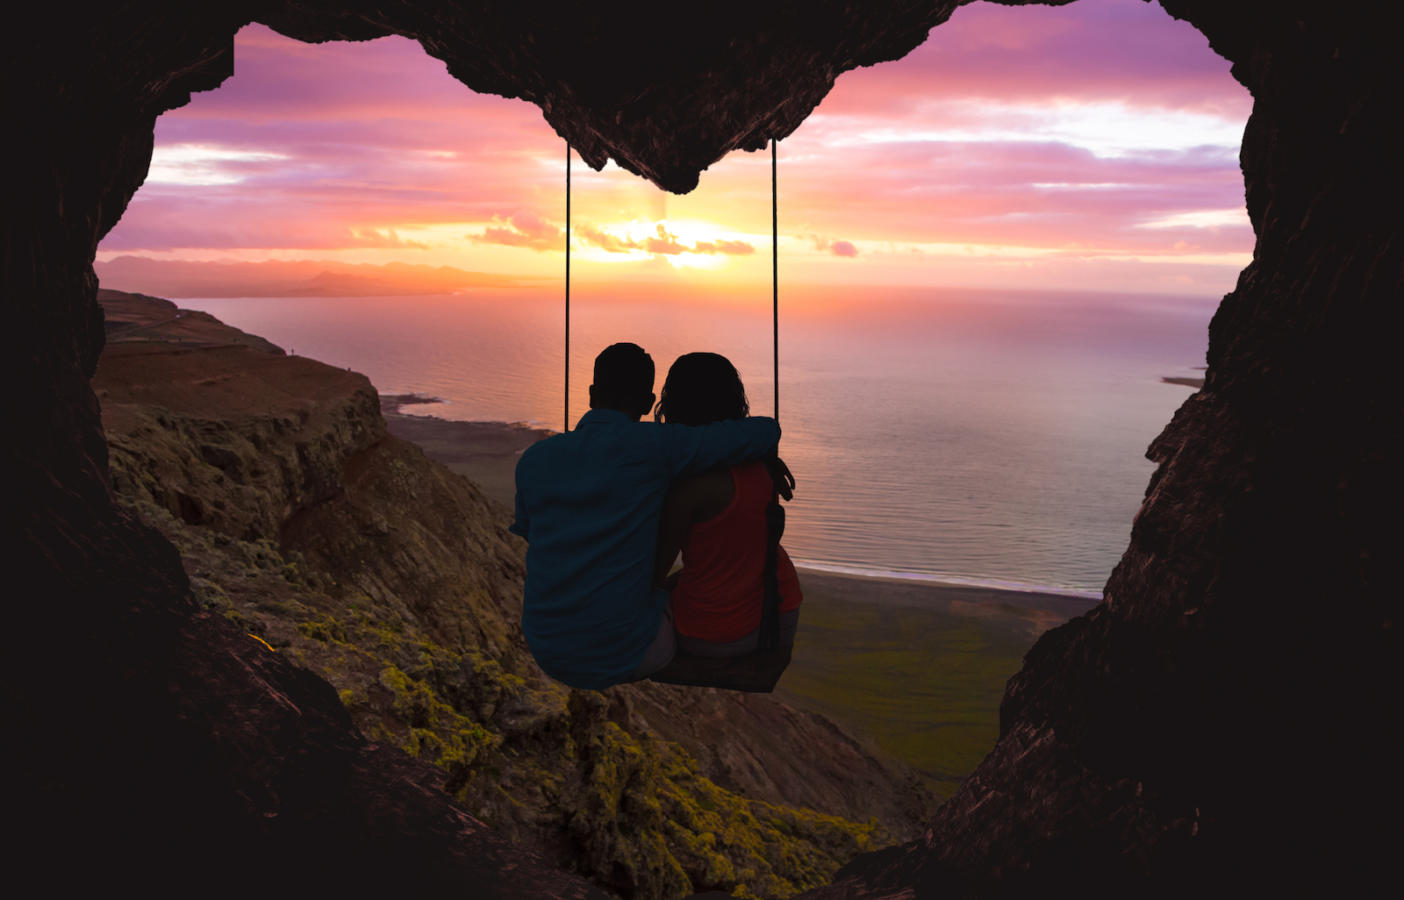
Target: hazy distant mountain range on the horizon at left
182,279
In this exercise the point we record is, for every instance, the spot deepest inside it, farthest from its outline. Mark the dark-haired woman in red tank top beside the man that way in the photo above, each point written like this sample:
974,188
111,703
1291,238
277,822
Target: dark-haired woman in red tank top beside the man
718,522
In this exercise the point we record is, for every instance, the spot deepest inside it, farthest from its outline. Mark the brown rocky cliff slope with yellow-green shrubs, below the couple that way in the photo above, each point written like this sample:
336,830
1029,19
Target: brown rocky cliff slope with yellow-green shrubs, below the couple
343,548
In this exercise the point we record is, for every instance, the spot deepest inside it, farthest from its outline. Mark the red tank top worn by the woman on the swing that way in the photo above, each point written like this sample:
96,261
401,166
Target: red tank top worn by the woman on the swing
722,589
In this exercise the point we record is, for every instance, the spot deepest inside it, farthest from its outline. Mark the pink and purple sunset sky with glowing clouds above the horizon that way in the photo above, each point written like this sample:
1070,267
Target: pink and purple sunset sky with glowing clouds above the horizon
1082,148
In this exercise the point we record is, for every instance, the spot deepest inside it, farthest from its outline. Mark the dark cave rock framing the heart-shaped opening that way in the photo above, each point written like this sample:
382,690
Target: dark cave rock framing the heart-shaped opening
1226,720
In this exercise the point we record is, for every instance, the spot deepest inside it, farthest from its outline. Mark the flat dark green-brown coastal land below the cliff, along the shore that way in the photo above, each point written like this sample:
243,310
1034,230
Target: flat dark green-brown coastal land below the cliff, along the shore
916,666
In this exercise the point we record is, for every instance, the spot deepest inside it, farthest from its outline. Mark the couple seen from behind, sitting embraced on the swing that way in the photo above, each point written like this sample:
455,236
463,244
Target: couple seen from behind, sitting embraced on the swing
607,508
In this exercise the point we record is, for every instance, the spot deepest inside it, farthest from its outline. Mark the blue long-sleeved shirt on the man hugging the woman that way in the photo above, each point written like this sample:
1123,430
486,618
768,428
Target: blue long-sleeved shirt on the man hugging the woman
589,505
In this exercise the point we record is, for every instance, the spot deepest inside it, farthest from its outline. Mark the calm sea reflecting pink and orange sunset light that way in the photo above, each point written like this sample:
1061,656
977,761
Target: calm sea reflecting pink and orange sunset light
955,436
